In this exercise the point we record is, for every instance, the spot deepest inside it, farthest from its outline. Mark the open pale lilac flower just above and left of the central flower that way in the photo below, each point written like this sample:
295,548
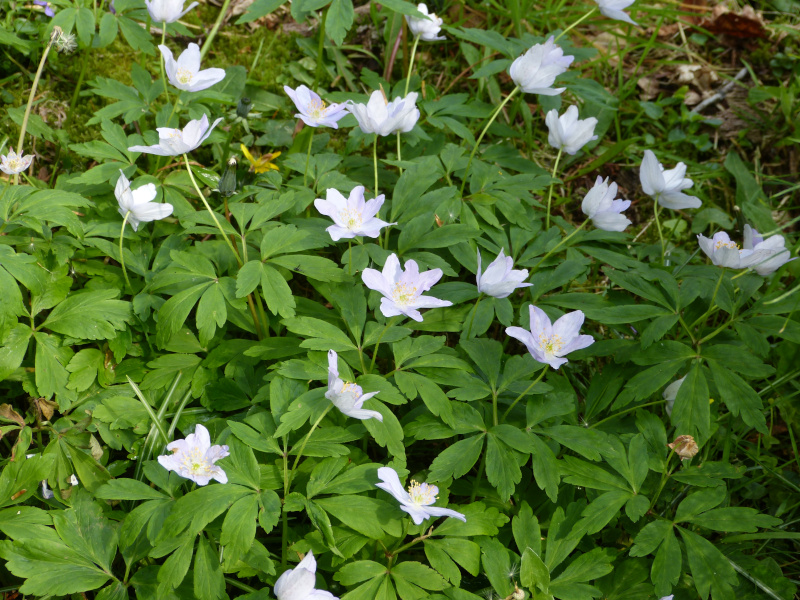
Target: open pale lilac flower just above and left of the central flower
351,216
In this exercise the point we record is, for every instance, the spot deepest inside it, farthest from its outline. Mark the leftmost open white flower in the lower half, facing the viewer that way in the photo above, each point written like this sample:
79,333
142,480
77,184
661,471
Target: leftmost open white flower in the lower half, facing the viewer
194,458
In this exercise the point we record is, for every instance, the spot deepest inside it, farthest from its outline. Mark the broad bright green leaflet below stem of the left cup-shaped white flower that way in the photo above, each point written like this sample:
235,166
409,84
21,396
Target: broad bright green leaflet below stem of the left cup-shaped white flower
90,315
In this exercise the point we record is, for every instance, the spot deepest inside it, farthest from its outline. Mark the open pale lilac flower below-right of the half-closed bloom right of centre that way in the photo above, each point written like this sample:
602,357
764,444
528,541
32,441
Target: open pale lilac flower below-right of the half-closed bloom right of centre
550,343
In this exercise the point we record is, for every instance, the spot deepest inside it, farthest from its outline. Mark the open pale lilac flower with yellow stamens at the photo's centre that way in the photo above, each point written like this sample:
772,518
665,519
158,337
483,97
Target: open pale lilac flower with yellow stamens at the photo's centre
402,289
